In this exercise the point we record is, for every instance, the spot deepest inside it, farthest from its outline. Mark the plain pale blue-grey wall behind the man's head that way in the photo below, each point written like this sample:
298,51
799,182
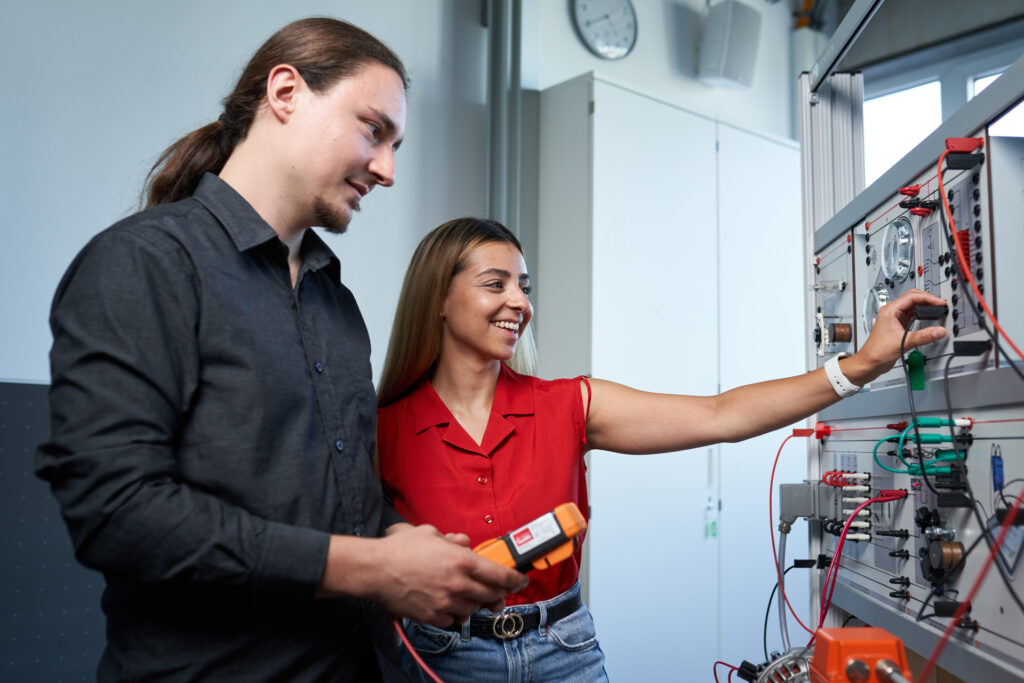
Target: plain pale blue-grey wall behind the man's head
96,91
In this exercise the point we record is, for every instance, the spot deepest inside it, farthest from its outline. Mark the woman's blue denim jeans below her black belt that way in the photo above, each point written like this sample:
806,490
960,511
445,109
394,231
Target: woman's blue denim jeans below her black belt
566,651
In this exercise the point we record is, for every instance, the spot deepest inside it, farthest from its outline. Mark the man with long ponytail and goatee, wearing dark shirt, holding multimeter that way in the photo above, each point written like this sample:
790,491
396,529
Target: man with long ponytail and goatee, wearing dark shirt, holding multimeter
212,404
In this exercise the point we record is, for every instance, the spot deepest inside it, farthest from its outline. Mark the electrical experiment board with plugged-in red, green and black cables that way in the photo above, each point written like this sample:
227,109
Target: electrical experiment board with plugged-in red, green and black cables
917,560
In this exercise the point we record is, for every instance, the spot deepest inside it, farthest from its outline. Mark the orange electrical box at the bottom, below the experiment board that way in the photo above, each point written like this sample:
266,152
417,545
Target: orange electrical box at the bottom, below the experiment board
854,654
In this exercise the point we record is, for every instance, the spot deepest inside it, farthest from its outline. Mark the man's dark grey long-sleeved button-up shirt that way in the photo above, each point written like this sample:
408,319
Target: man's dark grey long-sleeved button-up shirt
212,425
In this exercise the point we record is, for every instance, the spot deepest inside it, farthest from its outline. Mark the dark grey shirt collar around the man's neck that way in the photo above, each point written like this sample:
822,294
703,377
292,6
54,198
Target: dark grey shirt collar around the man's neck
248,230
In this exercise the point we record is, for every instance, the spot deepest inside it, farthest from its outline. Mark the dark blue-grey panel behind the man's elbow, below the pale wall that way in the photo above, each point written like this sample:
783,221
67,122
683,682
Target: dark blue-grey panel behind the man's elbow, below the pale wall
52,627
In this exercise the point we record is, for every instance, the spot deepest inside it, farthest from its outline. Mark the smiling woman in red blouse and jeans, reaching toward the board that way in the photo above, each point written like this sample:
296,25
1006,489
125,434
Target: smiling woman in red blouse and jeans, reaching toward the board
470,442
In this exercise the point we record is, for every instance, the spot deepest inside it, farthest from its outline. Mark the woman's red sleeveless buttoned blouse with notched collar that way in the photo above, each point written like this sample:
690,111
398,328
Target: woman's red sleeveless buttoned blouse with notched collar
530,462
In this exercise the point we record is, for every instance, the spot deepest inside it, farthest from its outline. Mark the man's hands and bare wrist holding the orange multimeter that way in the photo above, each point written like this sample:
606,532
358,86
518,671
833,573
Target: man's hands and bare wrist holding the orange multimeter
417,573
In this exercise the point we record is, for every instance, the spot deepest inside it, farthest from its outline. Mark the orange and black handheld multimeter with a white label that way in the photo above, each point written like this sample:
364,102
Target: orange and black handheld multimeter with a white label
546,541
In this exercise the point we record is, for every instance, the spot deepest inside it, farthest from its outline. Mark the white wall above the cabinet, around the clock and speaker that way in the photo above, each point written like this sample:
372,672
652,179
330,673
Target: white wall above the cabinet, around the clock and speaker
665,61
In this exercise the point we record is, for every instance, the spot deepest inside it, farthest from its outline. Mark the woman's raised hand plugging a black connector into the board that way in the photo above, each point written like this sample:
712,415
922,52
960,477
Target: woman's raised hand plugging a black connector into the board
882,349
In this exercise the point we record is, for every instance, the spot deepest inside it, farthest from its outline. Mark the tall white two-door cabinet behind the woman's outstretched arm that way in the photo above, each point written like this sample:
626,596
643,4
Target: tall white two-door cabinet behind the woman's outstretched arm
629,284
